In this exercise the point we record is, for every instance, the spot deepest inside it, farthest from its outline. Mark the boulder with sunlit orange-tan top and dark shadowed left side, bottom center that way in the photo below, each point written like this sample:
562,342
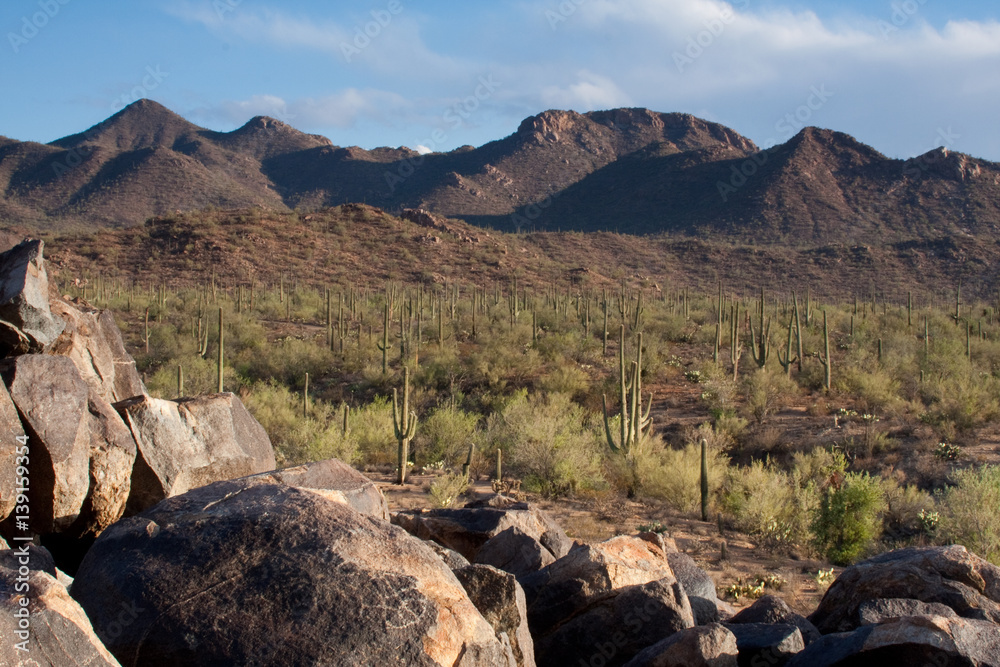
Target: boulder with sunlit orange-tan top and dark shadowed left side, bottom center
587,573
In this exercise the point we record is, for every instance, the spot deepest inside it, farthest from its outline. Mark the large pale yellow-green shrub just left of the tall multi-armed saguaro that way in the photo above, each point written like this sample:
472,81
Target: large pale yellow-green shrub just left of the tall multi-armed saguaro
548,441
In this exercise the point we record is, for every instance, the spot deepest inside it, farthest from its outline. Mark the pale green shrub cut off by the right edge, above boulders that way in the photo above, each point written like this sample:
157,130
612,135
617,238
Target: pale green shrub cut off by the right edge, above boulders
968,512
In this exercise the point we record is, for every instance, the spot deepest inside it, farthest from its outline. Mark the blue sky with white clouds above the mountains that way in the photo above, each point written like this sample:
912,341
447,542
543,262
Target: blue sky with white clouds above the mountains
904,76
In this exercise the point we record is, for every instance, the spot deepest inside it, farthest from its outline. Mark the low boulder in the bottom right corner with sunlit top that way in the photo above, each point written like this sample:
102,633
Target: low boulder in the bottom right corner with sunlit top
915,640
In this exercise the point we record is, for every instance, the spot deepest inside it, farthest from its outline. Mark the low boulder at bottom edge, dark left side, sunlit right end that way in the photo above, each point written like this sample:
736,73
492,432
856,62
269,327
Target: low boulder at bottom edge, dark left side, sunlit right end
710,645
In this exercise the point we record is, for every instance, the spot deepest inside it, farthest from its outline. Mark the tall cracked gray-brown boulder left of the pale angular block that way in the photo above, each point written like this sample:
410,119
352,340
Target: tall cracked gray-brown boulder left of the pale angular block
81,452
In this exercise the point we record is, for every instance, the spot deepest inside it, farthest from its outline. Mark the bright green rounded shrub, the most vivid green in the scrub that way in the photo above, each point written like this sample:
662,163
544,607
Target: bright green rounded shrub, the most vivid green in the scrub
848,519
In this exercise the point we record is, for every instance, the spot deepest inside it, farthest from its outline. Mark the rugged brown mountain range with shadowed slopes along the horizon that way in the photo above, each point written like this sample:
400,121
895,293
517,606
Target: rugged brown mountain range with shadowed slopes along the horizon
627,170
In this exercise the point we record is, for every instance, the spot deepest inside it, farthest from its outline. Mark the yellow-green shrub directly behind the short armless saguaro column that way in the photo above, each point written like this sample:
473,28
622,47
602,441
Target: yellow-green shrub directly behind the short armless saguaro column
674,475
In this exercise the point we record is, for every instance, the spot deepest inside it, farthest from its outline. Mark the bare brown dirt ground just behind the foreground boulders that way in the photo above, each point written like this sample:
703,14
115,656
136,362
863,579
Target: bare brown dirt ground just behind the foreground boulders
591,521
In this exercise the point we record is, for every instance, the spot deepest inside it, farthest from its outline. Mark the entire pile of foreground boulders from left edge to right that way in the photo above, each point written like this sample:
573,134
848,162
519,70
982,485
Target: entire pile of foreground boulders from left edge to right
187,548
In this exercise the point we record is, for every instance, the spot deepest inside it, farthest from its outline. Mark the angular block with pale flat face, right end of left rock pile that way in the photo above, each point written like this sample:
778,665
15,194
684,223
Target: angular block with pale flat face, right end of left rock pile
190,443
